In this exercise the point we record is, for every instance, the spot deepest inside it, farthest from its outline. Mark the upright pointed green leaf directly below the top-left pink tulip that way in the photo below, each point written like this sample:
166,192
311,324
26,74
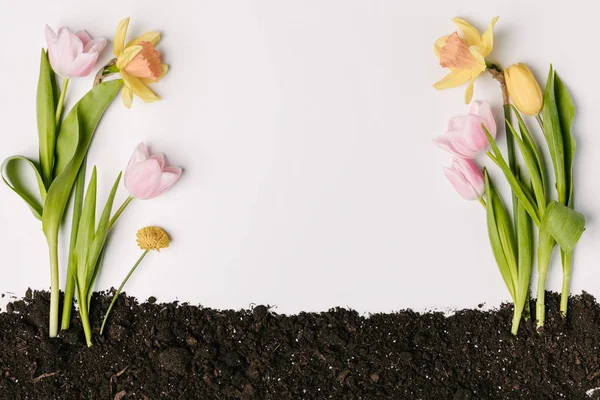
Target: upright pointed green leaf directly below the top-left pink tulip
46,119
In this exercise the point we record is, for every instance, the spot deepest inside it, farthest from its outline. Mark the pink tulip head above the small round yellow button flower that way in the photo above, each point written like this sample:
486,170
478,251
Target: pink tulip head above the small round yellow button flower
148,175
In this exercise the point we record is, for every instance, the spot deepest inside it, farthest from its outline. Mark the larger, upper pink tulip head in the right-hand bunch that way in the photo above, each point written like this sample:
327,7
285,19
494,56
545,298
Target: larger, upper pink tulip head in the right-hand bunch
465,137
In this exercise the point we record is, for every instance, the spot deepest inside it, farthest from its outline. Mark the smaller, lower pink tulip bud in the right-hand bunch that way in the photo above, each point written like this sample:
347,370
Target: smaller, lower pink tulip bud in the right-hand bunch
466,178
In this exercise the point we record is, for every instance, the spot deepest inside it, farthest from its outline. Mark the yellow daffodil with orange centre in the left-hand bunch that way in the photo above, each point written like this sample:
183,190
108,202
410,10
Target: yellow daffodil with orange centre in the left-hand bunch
139,64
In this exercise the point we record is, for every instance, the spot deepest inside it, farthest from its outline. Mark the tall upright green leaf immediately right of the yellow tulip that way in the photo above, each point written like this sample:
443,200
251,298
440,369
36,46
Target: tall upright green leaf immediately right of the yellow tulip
554,137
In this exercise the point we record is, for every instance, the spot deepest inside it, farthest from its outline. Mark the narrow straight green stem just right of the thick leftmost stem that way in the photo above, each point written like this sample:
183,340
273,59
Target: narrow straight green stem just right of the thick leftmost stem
70,284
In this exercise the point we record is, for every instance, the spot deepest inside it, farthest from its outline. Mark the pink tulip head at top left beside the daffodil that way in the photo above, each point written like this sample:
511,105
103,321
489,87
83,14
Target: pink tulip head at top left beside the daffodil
73,54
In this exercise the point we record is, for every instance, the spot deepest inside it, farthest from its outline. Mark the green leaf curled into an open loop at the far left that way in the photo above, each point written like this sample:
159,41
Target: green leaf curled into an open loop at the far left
12,176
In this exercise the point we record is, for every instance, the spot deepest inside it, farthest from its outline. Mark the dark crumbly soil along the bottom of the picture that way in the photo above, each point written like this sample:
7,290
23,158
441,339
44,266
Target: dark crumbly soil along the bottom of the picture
171,351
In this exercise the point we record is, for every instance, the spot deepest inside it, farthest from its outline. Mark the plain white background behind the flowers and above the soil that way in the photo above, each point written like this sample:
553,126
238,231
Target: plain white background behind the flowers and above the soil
305,130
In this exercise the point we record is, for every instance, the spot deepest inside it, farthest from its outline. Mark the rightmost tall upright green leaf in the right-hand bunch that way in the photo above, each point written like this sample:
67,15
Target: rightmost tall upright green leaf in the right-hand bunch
566,113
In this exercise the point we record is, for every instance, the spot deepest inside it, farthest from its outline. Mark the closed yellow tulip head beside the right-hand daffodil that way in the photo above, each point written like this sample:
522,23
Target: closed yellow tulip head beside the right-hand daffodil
524,89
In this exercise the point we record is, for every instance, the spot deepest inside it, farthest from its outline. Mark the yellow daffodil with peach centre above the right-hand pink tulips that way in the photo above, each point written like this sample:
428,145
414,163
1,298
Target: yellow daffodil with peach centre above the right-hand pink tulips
464,56
